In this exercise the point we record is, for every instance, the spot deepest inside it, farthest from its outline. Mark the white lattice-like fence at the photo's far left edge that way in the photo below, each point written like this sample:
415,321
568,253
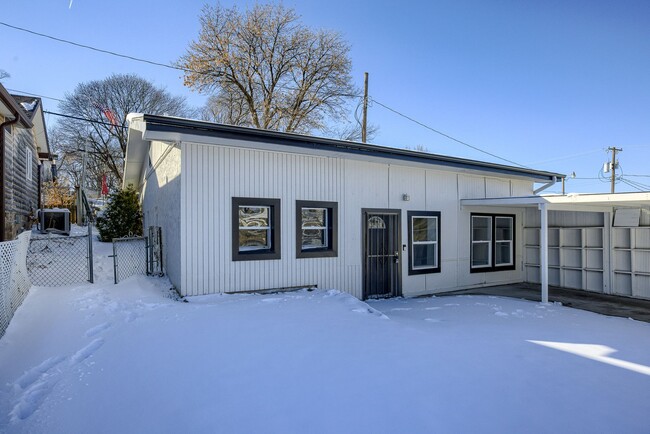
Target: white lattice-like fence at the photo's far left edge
14,281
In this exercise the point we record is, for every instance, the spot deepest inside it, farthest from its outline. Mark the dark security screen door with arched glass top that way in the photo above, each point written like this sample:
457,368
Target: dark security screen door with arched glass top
381,253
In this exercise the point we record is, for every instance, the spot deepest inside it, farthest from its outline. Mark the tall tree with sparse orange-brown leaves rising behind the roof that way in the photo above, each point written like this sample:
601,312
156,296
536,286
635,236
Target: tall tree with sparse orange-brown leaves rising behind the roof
267,70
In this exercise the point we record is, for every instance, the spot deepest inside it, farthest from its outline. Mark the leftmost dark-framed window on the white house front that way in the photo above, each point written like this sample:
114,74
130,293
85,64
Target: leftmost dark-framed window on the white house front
255,229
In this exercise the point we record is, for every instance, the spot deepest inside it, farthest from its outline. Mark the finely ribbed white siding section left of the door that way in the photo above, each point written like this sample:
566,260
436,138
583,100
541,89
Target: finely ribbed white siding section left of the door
215,175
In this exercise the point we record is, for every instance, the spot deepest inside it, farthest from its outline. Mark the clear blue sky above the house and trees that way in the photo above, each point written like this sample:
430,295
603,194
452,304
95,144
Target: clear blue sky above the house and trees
549,85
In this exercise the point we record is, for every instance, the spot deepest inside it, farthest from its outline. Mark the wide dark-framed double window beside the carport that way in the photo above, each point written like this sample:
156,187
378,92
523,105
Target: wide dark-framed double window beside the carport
492,242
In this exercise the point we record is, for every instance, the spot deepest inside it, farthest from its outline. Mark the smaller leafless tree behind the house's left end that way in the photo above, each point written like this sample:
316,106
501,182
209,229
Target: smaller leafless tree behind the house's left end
96,121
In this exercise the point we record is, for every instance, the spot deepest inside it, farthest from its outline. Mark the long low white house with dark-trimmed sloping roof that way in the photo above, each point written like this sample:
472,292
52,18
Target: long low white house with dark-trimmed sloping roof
244,209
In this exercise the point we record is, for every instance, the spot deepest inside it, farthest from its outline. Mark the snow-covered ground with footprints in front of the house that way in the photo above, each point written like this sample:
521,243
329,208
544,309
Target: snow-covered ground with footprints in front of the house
128,358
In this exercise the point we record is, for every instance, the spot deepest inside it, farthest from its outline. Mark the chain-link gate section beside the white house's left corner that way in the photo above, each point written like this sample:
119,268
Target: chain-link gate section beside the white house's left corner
138,255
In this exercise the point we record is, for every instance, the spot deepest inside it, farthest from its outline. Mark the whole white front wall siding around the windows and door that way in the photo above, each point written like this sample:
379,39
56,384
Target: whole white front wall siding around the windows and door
214,174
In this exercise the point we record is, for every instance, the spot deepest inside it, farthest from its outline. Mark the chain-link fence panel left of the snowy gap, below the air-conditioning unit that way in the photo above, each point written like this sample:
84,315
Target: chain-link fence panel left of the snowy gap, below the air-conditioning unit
56,260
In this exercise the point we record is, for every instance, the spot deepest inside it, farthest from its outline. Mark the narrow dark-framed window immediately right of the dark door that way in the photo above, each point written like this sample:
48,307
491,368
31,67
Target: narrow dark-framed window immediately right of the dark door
424,242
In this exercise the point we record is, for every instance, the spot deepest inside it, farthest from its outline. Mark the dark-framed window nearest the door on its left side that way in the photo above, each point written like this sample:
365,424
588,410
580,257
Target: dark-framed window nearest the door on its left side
316,229
